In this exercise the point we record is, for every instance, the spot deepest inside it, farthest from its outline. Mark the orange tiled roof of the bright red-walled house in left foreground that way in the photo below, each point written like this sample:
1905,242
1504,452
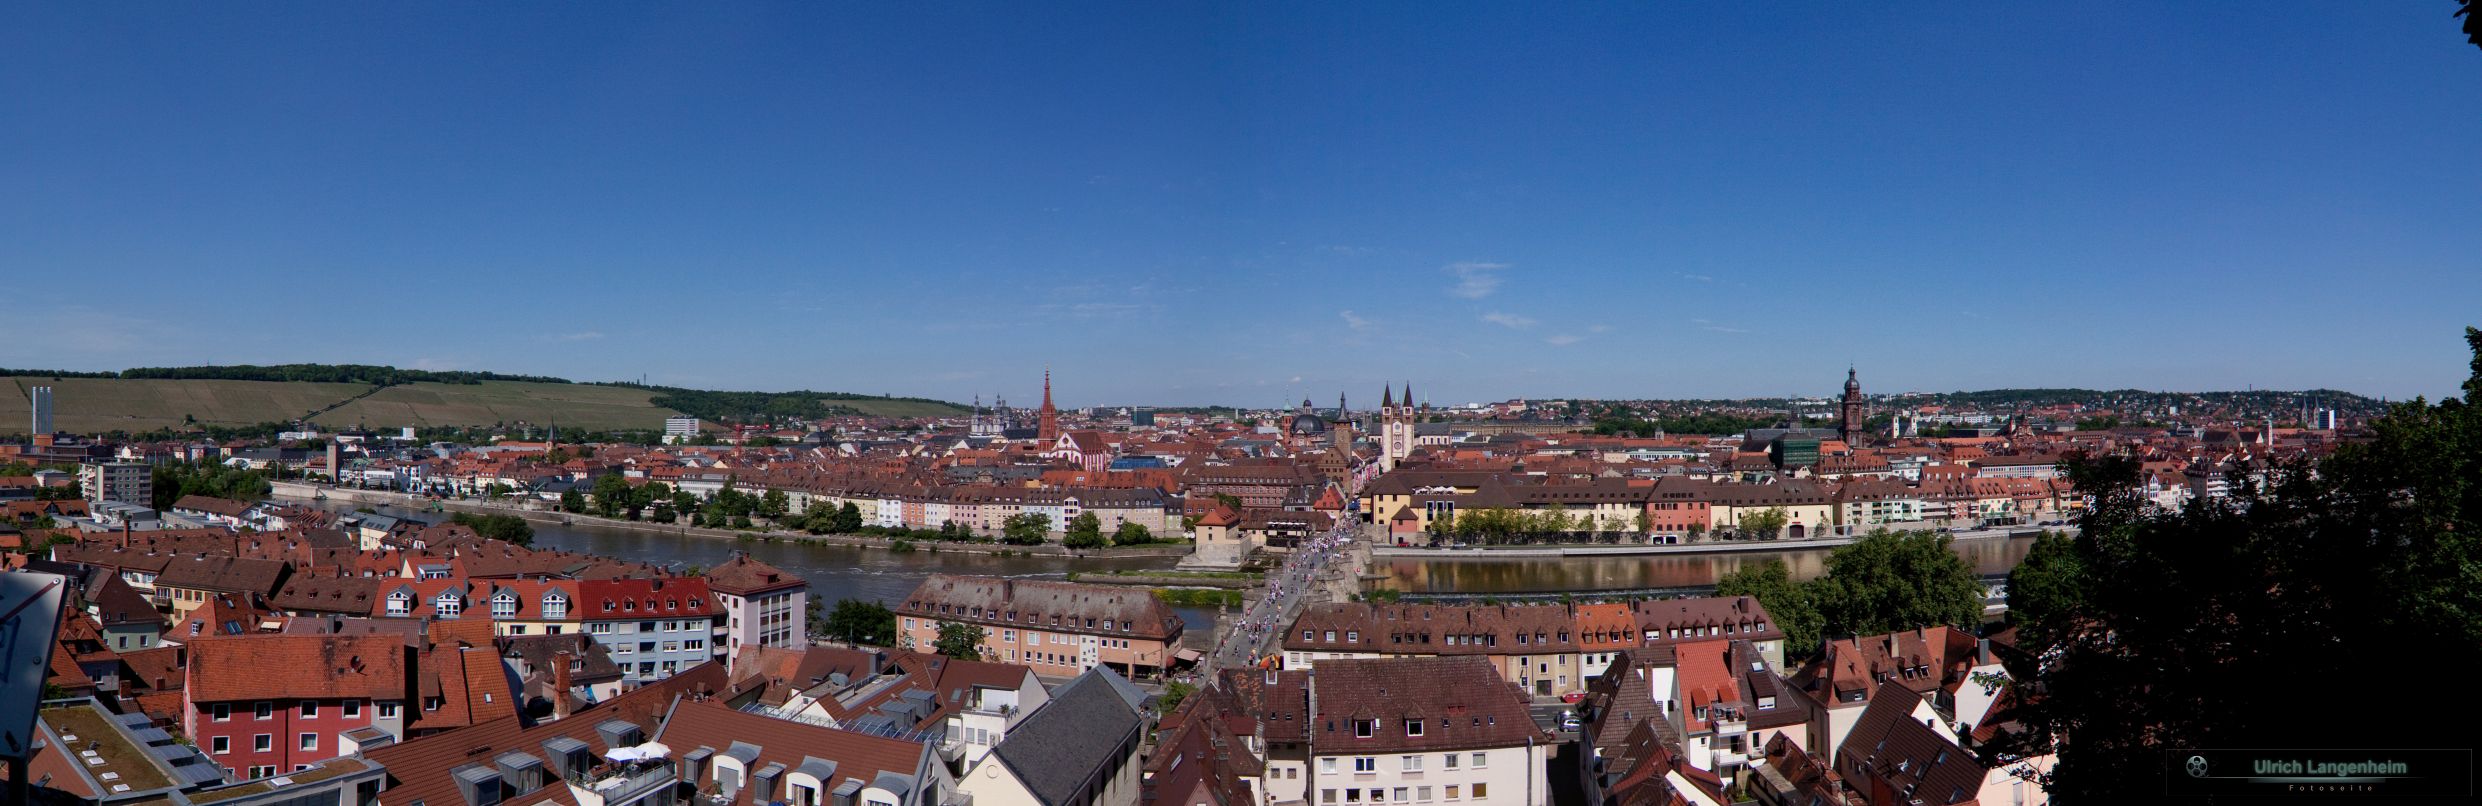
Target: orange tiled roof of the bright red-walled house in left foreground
267,666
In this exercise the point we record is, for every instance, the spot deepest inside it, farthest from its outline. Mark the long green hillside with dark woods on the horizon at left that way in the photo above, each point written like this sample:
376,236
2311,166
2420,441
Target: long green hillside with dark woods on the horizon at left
344,396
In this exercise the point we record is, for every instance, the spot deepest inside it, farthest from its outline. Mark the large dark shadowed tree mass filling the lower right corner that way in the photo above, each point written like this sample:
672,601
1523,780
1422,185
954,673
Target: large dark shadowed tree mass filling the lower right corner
2198,626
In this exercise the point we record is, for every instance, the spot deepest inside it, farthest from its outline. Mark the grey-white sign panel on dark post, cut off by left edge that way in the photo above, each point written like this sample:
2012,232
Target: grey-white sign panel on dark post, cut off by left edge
29,631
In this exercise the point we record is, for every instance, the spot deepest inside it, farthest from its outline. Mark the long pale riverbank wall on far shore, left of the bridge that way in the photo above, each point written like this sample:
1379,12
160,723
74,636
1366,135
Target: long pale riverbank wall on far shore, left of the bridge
307,492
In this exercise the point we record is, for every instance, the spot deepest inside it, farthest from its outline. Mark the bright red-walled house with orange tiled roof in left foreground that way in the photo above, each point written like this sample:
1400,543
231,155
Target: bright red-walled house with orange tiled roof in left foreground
264,703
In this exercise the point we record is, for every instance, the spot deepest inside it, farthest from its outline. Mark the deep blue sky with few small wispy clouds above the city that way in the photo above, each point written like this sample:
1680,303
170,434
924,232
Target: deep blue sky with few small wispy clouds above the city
1247,205
